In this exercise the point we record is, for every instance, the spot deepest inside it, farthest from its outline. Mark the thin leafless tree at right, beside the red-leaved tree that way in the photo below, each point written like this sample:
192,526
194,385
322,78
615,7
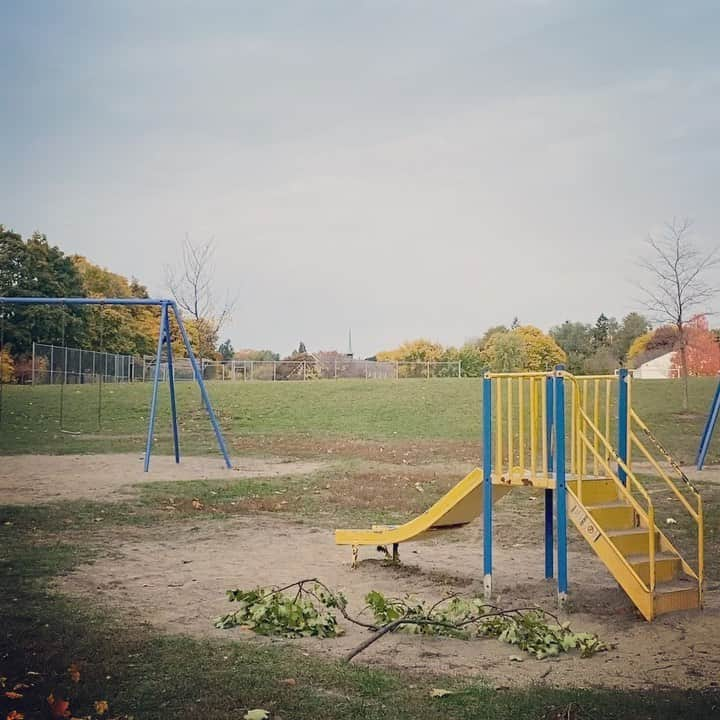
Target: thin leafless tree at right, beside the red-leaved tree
678,270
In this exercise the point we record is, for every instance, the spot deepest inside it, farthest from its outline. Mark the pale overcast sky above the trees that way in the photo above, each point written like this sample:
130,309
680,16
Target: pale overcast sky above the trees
402,168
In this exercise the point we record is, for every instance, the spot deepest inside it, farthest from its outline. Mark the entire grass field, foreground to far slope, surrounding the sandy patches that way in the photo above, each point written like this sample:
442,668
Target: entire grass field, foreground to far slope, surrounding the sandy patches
379,440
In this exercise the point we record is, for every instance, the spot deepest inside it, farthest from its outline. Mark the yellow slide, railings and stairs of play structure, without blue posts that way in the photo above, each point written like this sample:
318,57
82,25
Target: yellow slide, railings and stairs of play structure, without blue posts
521,452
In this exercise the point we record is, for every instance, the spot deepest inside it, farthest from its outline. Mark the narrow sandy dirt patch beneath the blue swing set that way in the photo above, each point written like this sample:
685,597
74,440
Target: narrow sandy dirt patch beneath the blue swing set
48,478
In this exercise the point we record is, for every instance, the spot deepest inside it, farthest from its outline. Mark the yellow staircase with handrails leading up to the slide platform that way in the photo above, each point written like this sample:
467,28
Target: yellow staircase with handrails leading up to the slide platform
618,518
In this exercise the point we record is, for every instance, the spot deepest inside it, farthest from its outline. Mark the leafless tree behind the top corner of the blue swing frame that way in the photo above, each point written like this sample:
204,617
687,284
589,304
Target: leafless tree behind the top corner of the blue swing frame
193,287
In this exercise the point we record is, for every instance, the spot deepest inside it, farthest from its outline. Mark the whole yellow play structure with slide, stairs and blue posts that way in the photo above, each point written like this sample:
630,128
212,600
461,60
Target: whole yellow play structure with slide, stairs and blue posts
535,434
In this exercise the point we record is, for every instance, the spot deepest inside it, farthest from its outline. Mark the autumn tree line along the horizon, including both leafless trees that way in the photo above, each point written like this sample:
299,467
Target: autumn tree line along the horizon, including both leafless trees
677,270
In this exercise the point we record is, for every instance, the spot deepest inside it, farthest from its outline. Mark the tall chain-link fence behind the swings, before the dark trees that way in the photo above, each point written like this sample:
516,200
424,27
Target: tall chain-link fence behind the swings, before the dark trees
52,364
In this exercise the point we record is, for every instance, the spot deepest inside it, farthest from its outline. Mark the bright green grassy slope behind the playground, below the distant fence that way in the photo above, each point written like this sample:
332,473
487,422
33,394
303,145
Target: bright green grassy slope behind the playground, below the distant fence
441,409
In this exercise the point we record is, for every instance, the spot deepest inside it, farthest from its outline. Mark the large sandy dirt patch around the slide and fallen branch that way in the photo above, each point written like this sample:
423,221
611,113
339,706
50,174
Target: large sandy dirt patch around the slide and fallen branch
177,583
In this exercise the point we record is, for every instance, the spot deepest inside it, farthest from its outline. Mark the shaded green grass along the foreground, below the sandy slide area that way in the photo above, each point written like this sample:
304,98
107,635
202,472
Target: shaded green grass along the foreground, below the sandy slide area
143,673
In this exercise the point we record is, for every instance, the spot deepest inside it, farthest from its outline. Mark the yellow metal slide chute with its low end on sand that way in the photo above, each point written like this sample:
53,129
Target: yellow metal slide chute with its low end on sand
460,506
